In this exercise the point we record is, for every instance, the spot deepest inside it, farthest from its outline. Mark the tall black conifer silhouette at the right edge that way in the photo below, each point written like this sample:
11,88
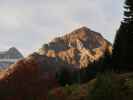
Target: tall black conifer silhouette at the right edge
123,44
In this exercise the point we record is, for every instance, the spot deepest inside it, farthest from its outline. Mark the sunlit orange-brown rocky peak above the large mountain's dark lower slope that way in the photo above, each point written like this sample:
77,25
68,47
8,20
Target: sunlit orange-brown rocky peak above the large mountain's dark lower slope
81,47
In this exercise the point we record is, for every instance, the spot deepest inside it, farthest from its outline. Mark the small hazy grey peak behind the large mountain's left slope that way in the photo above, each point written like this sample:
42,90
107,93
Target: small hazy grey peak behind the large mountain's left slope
9,57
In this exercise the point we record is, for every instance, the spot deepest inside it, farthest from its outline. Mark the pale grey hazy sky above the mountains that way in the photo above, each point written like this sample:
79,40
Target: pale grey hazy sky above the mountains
27,24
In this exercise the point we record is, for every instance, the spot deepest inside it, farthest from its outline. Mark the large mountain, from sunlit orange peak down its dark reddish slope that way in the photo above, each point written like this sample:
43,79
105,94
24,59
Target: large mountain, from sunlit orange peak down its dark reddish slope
61,59
